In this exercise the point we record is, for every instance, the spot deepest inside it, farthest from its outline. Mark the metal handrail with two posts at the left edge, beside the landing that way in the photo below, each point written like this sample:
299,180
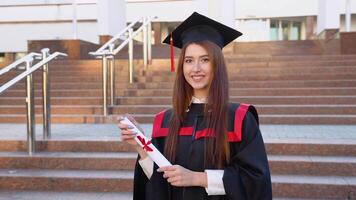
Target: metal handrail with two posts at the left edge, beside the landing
30,100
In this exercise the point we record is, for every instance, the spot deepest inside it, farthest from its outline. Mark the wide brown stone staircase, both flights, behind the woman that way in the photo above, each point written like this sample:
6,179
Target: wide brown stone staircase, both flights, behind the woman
286,89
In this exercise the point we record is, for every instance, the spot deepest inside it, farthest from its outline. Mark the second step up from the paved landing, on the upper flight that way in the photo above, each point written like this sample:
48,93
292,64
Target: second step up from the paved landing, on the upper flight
153,109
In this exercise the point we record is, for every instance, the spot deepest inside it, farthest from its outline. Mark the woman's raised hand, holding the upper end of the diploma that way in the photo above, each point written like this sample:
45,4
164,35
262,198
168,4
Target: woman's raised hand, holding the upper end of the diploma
128,136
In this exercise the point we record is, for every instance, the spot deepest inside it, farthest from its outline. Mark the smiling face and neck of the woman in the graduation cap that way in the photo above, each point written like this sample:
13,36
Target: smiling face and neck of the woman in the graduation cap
197,69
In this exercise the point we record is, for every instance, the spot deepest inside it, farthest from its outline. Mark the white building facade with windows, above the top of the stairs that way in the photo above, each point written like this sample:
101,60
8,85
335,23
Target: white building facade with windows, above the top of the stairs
23,20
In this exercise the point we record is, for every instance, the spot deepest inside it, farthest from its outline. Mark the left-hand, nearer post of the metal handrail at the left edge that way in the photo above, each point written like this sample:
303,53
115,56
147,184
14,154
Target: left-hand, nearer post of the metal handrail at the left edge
30,111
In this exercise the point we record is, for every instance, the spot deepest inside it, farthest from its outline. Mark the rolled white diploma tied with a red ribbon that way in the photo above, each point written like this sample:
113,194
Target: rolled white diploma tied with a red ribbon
146,144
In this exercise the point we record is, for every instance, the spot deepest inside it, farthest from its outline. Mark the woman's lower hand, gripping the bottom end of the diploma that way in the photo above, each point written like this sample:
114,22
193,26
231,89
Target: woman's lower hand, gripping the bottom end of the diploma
177,175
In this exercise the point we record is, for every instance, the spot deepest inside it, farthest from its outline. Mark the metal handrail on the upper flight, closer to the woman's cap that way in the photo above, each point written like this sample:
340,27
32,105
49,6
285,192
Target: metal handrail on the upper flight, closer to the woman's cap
108,51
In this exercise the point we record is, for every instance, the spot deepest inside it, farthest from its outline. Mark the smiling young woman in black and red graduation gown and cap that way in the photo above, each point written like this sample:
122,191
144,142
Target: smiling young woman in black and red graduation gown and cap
215,146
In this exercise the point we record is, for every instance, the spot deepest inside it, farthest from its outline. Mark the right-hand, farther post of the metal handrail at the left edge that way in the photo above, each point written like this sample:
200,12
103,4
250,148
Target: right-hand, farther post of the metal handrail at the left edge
46,104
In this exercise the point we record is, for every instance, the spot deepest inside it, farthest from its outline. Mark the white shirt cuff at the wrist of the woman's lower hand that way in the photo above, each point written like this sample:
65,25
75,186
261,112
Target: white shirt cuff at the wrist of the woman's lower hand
215,182
